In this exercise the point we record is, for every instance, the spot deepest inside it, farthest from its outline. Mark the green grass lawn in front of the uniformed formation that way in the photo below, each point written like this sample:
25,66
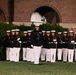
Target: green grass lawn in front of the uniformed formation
24,68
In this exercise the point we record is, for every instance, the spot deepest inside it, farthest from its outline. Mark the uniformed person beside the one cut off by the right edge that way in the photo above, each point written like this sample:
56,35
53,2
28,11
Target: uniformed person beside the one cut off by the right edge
71,46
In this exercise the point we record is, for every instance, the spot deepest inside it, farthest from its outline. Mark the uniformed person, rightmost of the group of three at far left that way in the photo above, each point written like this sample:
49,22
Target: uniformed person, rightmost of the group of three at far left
17,45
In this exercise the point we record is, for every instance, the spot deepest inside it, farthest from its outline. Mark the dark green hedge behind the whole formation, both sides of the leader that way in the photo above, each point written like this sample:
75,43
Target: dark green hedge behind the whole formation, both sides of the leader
4,27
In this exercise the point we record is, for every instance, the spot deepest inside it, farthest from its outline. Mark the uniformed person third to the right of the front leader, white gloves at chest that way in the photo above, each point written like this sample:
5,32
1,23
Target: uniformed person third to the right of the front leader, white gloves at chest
53,46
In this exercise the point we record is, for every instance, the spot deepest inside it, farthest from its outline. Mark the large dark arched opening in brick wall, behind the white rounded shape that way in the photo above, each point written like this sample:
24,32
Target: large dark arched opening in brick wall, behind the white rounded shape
48,14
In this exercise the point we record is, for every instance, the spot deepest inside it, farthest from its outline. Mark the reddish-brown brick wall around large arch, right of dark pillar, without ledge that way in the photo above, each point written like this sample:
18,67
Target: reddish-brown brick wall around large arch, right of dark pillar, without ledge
65,8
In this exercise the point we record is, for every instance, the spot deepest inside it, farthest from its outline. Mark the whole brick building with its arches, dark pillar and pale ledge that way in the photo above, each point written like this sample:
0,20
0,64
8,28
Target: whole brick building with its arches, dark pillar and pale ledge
62,12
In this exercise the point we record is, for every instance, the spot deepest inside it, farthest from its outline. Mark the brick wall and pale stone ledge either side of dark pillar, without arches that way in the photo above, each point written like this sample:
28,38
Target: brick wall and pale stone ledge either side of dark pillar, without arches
23,10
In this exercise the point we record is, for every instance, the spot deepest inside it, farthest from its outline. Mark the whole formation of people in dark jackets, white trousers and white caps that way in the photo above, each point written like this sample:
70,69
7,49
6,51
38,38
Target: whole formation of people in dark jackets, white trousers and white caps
48,46
